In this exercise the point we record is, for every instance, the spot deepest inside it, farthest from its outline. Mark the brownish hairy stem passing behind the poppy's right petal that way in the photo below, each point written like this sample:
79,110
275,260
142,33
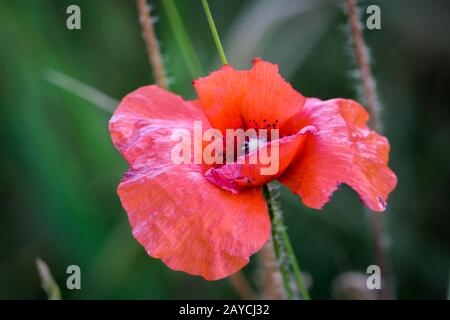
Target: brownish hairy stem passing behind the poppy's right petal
373,105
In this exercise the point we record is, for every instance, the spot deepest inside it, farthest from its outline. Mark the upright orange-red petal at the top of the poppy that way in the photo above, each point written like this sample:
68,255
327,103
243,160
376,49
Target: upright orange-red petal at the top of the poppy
257,98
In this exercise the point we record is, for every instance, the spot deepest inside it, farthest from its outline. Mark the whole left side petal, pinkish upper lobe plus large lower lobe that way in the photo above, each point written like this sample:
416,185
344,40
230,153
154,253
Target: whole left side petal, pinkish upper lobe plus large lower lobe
175,213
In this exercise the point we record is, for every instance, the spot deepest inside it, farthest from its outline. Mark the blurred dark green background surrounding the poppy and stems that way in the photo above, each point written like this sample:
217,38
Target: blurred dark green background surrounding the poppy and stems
59,169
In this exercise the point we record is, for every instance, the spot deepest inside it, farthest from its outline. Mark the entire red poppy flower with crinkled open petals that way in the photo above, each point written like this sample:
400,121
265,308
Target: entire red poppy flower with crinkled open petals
207,220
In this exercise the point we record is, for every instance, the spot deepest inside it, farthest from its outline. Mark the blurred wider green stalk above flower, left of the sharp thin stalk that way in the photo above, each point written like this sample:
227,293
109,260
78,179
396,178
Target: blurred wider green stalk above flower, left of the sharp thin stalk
182,38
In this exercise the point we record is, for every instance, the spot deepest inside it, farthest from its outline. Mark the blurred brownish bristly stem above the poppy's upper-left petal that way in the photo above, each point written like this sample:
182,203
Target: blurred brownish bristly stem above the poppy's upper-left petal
148,33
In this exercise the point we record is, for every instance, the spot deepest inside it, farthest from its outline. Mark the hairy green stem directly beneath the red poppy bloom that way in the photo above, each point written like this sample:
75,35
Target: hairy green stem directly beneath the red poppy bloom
283,249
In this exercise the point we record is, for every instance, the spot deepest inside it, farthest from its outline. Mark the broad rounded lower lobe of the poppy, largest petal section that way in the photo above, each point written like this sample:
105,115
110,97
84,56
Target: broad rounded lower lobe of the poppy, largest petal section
191,224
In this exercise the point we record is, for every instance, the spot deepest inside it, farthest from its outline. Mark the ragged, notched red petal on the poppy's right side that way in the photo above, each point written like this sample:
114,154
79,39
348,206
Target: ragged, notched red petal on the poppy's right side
344,150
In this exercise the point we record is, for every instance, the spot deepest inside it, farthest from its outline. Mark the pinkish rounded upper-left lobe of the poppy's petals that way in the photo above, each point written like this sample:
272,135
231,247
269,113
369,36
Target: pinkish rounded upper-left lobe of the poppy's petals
142,125
